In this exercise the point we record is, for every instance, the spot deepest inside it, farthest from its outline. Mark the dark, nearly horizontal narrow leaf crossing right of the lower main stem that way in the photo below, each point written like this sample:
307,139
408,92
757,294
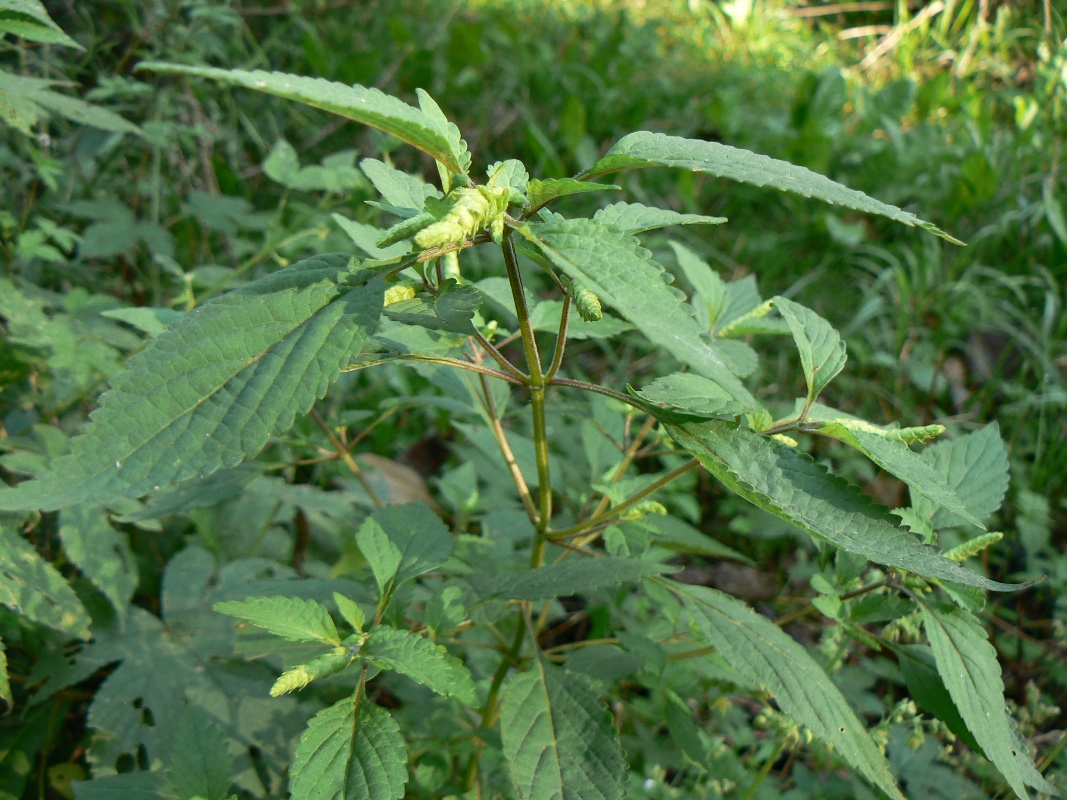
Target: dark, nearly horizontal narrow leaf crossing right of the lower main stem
572,577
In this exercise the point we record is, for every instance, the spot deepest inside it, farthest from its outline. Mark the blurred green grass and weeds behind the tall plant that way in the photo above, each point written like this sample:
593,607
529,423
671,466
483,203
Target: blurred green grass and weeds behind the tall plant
954,110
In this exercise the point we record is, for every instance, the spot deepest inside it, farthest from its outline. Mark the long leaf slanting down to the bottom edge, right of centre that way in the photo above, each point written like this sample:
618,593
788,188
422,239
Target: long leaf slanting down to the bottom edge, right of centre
759,649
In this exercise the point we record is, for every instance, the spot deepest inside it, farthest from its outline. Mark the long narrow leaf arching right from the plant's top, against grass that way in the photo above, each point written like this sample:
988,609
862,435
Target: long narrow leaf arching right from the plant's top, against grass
643,149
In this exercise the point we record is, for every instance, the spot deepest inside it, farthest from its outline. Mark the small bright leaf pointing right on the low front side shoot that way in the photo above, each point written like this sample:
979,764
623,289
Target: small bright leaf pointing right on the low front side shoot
422,661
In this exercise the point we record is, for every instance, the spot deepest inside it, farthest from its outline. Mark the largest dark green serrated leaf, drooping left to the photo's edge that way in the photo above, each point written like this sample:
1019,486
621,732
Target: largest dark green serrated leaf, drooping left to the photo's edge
213,390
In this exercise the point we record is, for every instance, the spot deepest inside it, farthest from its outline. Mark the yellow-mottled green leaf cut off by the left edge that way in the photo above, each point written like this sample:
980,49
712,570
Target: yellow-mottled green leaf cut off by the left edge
34,588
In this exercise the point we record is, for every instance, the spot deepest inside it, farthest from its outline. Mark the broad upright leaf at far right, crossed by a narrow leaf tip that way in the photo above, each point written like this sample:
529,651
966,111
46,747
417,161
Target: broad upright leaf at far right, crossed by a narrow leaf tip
976,468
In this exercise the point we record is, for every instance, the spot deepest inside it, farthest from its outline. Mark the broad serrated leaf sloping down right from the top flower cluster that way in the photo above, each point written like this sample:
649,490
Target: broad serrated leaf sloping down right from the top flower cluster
626,278
